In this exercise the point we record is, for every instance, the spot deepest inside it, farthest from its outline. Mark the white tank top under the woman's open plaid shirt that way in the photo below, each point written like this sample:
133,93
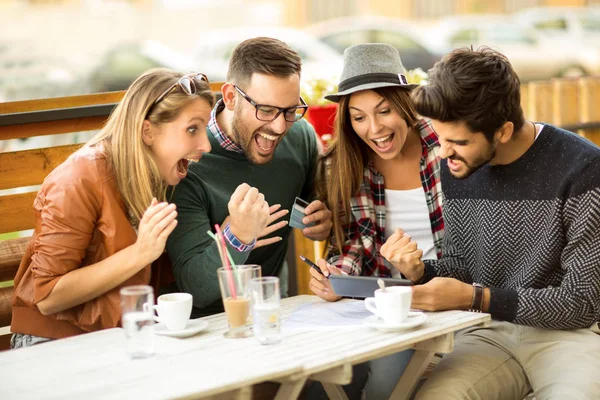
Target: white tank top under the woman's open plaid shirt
407,209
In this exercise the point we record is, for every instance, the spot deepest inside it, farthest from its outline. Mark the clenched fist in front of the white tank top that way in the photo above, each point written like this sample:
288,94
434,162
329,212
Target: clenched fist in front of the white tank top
404,254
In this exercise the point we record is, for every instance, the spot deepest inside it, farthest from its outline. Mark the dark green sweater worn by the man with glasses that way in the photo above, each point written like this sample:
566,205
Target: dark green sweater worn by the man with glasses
202,199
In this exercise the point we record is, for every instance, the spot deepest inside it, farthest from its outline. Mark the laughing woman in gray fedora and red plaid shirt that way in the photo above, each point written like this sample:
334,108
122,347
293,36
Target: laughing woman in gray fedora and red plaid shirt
380,174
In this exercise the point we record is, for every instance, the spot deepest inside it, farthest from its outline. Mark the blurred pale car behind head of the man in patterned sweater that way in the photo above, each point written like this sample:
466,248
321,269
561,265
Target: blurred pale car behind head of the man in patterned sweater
532,56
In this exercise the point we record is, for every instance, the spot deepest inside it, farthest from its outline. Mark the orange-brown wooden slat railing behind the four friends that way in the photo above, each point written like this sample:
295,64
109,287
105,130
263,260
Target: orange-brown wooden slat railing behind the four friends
572,104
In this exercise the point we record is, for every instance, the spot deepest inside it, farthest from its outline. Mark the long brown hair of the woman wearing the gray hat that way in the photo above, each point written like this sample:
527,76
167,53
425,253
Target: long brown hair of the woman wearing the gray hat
340,170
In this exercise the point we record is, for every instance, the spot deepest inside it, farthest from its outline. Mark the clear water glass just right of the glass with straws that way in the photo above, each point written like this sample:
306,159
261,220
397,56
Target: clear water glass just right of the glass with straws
266,309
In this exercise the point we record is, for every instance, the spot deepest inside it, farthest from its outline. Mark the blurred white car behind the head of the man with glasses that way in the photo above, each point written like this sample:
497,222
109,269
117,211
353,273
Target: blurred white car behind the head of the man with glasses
213,52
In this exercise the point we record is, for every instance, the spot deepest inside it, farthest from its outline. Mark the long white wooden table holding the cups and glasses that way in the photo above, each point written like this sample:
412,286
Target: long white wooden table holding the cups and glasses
208,365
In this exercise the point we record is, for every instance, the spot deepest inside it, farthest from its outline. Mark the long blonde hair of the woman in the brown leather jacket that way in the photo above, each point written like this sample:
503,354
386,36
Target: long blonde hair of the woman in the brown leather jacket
136,172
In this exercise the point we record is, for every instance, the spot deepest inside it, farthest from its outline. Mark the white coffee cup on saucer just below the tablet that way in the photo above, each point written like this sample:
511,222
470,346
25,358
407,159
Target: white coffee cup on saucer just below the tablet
391,305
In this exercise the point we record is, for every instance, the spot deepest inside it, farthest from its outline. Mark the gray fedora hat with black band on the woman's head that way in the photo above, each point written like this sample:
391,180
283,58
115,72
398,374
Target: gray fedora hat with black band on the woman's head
370,66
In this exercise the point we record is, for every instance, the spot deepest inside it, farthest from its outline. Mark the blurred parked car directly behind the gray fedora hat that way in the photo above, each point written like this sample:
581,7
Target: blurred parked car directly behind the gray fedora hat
406,36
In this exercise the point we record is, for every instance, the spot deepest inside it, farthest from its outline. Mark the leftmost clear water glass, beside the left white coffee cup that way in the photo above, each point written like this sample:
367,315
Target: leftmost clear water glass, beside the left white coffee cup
138,320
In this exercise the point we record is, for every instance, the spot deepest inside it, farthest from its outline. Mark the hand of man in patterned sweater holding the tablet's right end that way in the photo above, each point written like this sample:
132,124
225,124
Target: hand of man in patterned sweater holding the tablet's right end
442,294
